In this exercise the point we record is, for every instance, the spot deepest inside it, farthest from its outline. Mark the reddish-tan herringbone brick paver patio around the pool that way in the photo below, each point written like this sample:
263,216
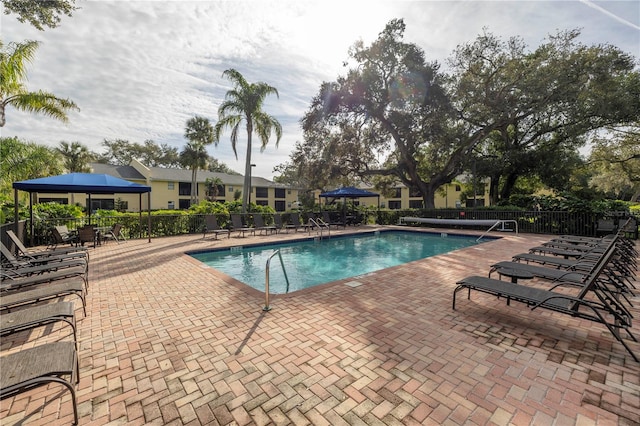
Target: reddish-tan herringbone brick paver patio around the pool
169,341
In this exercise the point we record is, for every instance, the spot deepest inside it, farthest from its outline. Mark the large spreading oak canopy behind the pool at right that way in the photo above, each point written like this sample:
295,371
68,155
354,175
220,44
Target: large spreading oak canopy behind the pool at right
502,108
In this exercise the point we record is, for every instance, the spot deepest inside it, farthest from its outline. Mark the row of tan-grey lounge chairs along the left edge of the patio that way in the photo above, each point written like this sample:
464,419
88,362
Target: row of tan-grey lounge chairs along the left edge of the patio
32,284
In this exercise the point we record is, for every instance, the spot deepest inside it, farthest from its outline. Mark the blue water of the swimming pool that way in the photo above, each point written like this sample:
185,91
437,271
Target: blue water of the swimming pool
311,262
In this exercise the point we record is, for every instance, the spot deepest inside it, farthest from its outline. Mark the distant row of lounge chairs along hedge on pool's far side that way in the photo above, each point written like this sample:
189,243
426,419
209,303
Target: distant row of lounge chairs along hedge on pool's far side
259,224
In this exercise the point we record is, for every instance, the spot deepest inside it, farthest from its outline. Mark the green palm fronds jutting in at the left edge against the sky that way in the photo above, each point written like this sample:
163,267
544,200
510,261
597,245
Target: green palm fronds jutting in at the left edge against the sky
13,73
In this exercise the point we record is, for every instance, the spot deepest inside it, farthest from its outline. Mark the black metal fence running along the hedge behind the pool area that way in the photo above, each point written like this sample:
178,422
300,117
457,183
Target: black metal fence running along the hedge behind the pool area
535,222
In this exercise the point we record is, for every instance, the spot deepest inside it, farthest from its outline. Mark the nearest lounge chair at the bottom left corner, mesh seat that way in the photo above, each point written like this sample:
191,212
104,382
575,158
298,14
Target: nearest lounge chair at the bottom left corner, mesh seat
39,366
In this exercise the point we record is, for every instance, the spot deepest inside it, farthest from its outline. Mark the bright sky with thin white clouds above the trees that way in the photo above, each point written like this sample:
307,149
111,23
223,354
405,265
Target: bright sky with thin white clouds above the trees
139,70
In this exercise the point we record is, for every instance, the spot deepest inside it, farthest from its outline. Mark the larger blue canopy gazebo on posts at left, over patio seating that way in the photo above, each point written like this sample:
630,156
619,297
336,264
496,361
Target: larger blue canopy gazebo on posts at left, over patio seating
88,183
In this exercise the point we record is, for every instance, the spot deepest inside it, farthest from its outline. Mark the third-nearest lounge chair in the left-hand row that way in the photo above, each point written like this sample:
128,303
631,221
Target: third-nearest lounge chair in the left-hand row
12,299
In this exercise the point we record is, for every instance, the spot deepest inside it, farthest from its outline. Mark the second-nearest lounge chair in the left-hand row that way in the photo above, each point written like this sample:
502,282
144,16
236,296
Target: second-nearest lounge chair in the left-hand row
38,316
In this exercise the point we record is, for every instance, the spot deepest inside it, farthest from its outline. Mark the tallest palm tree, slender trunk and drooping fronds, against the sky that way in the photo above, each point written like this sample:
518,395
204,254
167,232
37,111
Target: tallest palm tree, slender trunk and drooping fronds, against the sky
244,103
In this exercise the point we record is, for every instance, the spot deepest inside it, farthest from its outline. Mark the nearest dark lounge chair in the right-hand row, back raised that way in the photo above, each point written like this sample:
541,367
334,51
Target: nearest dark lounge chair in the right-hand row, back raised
597,308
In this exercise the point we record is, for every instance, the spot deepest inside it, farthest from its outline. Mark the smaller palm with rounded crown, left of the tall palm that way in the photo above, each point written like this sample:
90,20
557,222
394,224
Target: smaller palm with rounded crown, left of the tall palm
199,132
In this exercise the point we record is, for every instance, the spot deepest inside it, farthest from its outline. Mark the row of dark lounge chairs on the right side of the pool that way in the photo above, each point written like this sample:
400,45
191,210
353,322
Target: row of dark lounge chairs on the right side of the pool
585,278
